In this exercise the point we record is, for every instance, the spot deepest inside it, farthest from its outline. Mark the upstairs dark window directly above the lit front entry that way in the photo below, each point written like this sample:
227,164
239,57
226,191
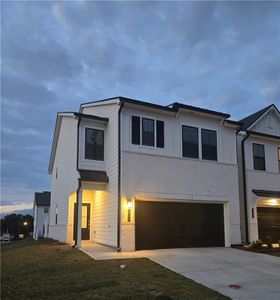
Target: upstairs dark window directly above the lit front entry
94,146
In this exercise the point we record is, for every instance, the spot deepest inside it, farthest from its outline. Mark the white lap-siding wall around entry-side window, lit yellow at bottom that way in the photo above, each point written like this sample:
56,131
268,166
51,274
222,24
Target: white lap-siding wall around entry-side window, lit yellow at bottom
106,203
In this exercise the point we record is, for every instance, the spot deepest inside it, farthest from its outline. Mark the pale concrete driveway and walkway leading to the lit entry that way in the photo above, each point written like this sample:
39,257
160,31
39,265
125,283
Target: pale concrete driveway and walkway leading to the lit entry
258,275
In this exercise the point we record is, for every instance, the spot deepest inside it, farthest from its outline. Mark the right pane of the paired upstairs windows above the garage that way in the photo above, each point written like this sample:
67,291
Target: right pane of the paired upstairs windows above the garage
209,144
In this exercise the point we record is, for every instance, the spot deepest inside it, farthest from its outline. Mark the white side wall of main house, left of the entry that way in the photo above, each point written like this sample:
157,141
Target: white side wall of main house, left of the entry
64,178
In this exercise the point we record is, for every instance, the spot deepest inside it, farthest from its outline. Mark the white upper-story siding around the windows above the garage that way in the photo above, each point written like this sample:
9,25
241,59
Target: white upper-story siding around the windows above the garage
226,143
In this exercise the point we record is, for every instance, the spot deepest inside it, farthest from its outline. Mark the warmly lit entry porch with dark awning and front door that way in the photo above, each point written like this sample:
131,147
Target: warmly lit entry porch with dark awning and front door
87,209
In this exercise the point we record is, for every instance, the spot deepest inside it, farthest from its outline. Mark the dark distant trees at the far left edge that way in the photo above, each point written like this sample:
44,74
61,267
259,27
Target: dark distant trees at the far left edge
17,224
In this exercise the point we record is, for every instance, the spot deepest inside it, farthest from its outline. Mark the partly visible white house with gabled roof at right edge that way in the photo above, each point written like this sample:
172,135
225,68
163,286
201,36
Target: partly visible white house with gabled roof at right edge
259,172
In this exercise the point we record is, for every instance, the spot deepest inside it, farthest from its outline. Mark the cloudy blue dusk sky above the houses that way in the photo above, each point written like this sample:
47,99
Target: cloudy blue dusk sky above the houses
55,55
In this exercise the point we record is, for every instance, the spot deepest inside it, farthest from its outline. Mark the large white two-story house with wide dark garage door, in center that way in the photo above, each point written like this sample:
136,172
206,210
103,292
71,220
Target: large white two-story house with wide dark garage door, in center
136,175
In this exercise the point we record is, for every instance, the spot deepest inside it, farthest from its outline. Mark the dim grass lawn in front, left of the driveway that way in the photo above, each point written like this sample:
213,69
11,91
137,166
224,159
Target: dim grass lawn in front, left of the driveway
49,270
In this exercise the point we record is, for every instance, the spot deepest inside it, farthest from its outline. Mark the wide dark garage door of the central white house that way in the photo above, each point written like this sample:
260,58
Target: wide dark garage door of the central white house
161,225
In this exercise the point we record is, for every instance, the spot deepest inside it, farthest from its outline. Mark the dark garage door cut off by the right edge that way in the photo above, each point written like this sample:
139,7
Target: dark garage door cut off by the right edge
269,223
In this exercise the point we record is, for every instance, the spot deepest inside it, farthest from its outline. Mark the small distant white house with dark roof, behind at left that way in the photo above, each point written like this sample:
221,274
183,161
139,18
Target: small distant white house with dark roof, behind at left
41,213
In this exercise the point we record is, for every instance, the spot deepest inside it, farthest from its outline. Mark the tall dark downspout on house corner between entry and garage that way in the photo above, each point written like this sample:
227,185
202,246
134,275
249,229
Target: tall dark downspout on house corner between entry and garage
119,177
